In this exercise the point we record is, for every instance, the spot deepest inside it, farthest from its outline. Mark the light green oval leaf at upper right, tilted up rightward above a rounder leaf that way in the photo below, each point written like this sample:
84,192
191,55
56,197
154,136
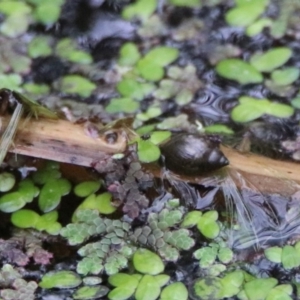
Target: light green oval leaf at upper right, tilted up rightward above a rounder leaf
270,60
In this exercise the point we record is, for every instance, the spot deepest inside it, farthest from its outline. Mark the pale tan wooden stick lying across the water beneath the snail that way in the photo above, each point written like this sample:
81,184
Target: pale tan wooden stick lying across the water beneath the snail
64,141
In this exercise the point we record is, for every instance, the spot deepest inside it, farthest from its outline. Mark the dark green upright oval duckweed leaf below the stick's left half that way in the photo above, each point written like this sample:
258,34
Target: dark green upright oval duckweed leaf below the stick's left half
50,196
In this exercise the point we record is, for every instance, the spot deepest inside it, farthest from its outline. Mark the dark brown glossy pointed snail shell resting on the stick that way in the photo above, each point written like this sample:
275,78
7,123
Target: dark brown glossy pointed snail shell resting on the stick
192,154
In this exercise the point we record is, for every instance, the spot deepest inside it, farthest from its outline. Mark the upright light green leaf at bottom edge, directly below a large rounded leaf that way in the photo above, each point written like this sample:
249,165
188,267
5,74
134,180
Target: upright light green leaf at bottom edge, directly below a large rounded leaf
148,289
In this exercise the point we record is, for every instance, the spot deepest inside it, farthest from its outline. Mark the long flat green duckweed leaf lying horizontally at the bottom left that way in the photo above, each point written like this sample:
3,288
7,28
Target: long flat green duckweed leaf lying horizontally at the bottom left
60,279
